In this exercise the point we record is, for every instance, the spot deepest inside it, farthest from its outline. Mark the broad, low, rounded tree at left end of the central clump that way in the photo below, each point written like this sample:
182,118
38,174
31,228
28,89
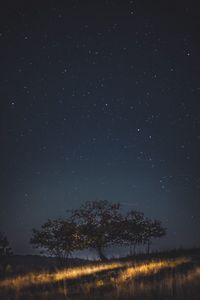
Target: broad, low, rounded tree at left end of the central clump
57,237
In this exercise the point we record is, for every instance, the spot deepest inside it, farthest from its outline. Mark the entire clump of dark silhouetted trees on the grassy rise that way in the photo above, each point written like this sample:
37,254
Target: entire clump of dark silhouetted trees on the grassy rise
97,224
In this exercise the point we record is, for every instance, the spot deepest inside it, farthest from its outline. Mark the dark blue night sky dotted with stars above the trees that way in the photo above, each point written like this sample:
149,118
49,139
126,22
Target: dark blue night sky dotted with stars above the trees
100,100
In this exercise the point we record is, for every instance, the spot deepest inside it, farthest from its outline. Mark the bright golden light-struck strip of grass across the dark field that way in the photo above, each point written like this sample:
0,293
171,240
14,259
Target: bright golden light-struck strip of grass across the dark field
127,271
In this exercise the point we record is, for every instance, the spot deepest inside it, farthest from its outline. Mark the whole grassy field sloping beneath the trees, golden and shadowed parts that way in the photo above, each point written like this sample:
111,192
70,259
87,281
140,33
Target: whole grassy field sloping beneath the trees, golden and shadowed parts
158,278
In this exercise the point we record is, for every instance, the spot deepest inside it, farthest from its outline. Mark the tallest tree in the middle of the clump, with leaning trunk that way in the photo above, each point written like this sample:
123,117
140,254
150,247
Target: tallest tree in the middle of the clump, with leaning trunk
99,223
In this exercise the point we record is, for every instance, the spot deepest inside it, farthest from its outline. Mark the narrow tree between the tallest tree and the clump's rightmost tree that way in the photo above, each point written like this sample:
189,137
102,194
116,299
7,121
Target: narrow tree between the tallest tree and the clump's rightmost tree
133,229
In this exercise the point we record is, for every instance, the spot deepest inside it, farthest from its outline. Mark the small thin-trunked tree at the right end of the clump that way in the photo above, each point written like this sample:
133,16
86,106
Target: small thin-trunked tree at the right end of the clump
152,229
